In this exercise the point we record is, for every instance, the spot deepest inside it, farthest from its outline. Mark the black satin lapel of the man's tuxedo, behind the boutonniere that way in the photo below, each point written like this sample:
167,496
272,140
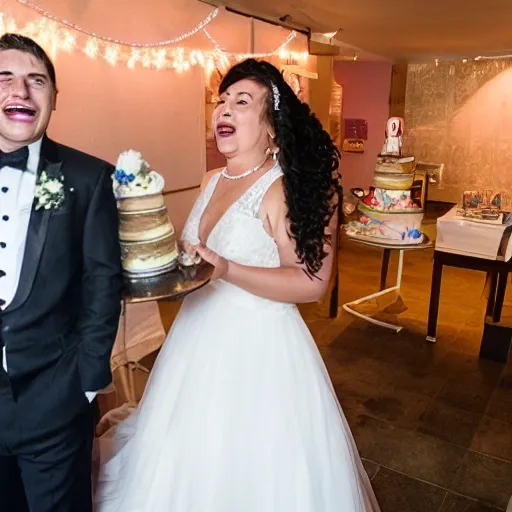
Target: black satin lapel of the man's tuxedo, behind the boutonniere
37,228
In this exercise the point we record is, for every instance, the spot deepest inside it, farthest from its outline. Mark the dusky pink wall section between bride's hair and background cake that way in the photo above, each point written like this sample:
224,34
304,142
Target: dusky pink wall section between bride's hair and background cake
366,88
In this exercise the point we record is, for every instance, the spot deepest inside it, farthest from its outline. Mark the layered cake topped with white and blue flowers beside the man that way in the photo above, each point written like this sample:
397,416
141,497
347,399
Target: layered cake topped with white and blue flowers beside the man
146,234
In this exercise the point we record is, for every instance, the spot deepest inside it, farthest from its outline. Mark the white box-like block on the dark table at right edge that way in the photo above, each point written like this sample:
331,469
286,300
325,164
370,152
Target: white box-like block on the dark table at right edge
468,238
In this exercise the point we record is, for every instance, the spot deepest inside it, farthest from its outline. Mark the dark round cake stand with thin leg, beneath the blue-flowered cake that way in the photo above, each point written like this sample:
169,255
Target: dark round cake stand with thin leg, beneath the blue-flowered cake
169,286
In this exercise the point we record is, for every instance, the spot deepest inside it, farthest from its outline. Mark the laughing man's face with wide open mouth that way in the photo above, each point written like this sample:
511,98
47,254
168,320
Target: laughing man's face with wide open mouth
27,99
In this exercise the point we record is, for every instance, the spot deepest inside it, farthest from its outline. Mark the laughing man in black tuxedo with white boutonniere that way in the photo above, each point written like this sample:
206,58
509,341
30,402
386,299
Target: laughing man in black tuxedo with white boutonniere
60,280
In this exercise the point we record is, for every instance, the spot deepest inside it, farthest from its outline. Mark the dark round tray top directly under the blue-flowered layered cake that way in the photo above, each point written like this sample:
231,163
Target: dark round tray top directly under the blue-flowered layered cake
171,285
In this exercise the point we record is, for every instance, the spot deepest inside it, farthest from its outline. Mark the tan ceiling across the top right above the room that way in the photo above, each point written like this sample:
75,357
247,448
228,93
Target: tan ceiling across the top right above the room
415,30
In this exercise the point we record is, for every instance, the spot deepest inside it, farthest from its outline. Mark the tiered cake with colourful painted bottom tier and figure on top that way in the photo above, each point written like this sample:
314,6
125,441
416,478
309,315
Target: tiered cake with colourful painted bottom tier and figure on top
387,212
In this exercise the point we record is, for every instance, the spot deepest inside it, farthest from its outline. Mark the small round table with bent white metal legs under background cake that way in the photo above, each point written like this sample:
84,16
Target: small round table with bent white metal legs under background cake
388,247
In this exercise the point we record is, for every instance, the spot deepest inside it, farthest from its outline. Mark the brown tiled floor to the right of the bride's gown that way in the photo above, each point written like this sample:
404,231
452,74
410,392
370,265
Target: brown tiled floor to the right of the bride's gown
433,422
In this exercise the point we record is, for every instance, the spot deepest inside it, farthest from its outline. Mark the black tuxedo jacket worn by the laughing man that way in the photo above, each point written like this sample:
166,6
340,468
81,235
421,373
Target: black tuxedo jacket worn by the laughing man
61,325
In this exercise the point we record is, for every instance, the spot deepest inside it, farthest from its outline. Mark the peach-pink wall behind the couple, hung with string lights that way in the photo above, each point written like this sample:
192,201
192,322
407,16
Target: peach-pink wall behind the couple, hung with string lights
105,109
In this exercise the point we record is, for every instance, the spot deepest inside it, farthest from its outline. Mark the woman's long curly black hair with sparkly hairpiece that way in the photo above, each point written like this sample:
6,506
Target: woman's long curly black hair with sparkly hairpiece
307,155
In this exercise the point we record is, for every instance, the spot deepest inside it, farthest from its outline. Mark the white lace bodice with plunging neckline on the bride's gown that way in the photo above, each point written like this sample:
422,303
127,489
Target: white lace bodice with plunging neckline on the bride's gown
239,235
